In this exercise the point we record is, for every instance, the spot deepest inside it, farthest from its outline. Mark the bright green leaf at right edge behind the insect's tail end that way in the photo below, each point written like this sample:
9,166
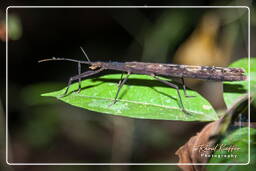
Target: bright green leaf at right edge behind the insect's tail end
234,90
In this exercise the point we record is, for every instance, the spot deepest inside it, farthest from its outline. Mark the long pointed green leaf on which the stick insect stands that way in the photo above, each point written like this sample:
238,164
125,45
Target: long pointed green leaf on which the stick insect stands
141,97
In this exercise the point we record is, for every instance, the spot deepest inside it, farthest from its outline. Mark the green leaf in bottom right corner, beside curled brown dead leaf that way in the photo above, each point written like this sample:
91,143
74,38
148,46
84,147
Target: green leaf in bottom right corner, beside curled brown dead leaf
238,138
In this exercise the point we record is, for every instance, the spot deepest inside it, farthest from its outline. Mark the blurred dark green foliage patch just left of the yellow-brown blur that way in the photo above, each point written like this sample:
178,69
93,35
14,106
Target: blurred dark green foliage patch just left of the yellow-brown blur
162,37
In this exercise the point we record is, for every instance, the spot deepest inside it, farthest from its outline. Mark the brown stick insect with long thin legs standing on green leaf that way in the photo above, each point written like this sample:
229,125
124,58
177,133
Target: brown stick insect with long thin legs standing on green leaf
154,70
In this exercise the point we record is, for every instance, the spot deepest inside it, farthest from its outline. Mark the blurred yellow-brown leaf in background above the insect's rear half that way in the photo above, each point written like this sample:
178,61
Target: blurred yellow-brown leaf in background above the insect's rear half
202,47
